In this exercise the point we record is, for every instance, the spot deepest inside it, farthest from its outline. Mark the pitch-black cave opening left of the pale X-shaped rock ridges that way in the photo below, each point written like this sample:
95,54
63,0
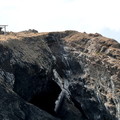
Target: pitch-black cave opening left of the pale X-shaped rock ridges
46,100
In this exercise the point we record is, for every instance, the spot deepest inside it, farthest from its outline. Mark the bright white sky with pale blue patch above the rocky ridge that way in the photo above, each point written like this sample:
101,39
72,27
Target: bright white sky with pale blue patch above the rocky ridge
91,16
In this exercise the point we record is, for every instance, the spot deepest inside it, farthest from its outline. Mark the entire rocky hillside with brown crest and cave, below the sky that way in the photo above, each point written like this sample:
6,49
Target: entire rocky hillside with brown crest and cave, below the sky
59,76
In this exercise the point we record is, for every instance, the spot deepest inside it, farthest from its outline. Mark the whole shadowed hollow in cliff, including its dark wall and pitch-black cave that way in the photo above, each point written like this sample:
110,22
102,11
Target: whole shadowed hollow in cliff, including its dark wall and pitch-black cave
33,85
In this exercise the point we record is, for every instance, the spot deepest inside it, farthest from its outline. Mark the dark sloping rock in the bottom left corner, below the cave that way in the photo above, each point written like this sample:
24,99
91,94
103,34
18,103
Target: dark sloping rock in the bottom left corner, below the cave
12,107
